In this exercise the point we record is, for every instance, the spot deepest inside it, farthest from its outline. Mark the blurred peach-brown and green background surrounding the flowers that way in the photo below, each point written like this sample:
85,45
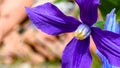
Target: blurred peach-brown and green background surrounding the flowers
22,45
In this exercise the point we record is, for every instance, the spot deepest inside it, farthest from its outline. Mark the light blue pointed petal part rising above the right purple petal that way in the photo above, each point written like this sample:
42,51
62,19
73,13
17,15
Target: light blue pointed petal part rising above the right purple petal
111,24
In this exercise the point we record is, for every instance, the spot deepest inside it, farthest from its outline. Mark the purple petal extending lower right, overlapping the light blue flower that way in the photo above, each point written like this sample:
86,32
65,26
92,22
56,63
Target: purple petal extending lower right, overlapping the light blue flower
108,43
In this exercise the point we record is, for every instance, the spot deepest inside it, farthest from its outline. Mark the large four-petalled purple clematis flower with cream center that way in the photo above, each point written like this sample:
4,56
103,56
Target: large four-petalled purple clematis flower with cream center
51,20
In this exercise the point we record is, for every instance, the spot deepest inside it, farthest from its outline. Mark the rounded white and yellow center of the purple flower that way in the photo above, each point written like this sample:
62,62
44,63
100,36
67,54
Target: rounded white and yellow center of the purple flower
82,32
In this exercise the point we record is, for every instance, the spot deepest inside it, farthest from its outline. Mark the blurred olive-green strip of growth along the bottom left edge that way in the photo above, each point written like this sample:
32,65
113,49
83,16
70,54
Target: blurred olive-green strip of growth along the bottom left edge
21,64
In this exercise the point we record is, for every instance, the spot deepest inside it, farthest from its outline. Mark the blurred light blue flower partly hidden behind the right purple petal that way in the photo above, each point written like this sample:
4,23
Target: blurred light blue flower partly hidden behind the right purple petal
111,25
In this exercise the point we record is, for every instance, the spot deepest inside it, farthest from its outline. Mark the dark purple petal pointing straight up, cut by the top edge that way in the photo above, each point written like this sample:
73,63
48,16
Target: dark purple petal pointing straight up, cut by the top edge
88,11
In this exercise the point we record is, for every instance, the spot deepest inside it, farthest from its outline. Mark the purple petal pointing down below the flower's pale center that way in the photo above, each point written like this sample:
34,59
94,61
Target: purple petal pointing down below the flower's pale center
77,54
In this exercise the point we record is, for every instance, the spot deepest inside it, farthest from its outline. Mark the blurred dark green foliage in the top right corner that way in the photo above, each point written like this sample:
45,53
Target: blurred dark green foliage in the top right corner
107,5
